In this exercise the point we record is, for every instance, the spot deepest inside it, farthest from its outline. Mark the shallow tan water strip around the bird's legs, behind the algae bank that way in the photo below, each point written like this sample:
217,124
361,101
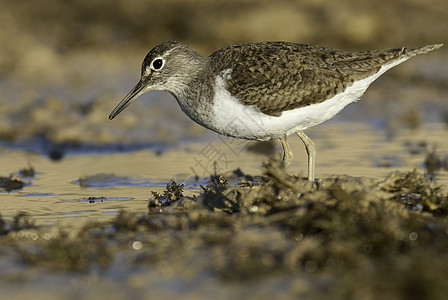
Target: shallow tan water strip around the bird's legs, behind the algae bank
59,193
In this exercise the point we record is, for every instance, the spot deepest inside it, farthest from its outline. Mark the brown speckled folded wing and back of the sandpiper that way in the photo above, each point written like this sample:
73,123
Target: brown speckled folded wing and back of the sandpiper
277,76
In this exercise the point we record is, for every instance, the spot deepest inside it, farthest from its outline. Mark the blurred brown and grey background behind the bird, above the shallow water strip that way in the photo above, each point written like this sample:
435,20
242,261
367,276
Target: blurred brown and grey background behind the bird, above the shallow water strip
64,65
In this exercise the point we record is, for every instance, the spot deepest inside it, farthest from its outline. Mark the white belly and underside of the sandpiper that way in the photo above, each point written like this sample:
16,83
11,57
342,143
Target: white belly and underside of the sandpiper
234,119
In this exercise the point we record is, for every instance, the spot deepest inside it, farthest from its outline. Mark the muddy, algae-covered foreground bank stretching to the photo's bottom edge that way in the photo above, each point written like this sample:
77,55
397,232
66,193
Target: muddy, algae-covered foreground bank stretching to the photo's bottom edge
271,235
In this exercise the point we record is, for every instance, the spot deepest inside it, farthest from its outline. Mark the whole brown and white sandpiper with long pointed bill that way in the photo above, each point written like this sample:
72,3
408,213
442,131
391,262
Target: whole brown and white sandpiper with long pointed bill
264,91
